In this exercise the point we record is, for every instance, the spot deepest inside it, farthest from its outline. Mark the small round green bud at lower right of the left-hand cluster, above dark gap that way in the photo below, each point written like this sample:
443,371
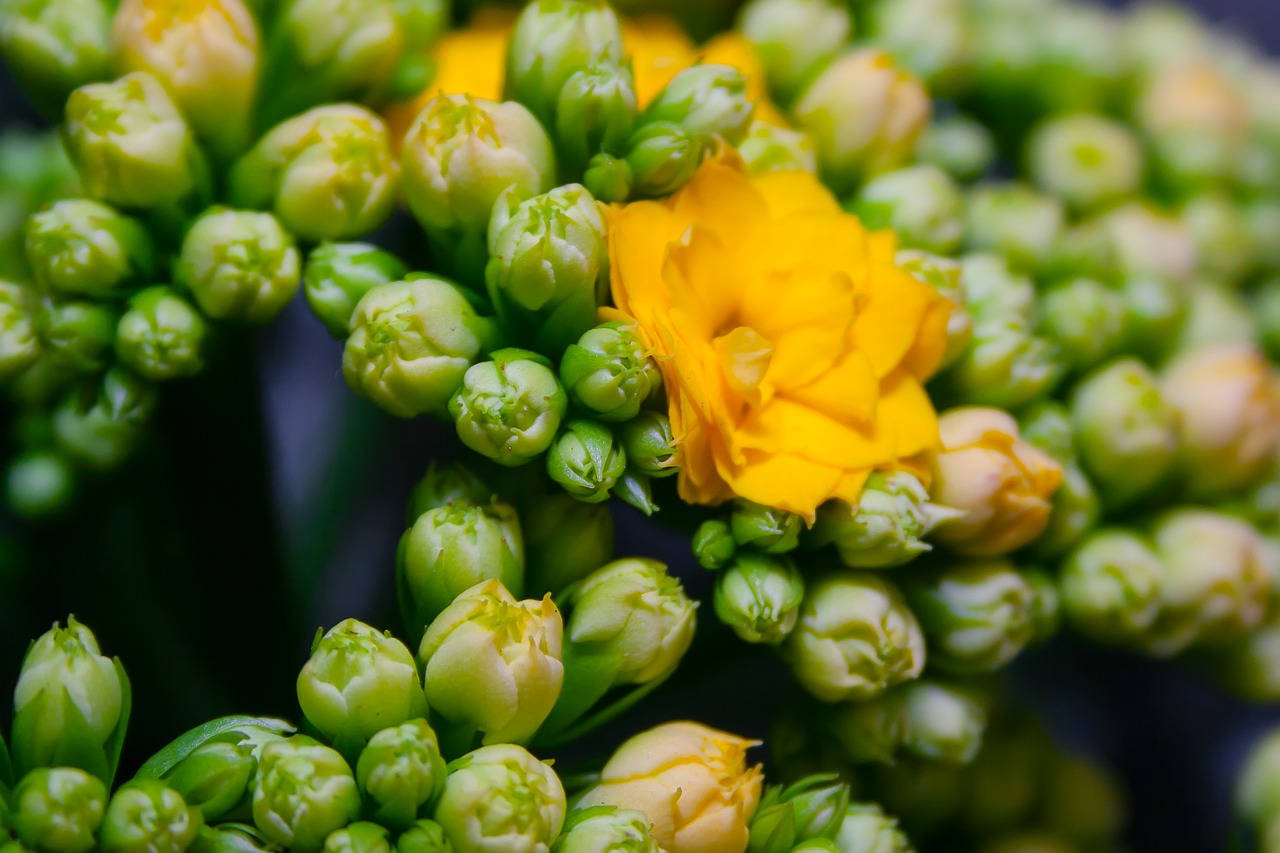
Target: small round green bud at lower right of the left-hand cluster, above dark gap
162,336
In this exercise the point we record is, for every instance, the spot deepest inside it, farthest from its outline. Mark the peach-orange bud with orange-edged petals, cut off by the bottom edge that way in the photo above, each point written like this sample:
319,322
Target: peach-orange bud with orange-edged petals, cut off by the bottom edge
715,796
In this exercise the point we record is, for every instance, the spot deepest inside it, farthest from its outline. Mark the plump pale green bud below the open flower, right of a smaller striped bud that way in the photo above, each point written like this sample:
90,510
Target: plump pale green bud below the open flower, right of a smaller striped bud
857,638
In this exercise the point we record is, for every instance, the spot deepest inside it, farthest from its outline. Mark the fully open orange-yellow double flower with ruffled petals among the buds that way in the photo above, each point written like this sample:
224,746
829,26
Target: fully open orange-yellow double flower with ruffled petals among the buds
792,348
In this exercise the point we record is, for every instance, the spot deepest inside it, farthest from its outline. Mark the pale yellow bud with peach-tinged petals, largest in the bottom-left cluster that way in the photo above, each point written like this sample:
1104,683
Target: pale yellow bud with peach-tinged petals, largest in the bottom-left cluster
493,664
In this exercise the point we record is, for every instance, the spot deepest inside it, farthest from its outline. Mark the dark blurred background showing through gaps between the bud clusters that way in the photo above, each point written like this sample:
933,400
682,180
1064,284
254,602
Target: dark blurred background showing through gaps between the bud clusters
269,462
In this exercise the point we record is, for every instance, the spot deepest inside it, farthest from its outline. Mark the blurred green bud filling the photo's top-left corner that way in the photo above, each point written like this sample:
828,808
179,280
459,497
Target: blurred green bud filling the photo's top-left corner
52,47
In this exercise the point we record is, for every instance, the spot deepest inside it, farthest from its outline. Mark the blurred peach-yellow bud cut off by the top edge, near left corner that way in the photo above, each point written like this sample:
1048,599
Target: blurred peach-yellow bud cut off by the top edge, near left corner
207,54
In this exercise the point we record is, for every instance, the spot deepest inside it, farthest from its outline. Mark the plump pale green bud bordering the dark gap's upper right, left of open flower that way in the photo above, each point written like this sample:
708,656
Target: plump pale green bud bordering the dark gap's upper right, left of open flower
412,345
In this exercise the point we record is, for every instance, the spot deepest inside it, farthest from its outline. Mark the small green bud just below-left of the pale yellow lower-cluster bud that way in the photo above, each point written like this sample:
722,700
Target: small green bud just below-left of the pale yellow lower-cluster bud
401,773
